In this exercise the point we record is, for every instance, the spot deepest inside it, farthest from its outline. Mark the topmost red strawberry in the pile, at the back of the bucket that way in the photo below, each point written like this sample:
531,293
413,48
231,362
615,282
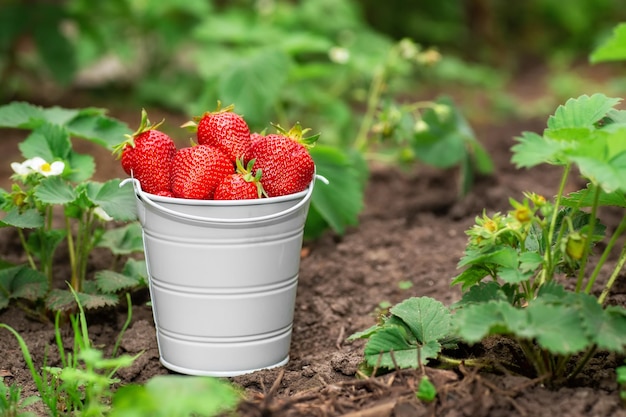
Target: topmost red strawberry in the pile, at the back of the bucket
224,129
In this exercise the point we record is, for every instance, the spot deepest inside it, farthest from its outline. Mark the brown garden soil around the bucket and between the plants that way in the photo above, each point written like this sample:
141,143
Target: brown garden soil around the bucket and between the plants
412,229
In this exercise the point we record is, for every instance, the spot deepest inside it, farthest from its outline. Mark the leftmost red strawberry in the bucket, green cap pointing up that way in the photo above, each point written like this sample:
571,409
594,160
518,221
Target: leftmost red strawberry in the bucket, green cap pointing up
147,156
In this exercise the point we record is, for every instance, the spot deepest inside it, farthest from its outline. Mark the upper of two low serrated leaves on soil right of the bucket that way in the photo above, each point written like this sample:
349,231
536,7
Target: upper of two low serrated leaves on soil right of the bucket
428,319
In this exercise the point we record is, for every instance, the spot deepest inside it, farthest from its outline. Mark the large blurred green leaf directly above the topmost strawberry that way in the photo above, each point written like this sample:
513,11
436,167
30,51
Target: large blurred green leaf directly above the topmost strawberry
255,83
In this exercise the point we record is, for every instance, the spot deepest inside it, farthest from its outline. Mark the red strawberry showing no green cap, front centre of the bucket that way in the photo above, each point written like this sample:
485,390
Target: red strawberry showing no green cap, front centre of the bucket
196,171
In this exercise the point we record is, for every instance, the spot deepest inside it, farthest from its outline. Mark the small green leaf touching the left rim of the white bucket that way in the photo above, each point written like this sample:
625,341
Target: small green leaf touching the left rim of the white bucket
118,202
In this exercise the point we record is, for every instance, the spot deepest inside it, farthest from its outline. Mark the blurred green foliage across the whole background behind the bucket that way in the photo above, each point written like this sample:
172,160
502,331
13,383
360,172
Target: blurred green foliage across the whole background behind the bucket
364,73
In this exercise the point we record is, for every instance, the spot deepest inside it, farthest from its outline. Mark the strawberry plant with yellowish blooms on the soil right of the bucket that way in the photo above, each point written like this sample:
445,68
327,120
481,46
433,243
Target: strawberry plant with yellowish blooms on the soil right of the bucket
538,274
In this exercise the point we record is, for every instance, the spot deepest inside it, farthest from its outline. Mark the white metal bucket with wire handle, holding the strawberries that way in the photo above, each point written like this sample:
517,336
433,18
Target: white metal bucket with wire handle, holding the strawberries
223,277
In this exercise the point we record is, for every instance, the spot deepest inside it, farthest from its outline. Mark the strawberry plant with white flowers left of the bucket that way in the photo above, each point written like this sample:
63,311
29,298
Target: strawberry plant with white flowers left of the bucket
53,201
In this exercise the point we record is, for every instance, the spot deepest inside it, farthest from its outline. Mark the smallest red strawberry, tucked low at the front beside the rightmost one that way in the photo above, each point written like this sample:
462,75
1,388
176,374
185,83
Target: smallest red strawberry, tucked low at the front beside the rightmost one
242,185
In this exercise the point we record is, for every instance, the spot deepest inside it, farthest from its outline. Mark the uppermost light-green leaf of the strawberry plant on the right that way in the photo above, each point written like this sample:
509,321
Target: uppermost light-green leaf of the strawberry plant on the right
582,112
